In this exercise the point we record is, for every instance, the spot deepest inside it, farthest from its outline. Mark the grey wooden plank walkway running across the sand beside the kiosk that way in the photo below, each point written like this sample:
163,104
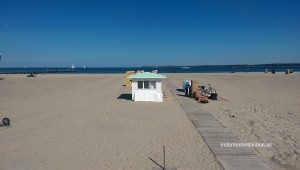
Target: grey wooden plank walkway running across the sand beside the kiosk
214,133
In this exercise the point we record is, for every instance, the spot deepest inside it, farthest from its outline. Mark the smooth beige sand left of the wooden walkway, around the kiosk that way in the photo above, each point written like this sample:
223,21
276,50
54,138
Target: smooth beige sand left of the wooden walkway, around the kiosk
87,122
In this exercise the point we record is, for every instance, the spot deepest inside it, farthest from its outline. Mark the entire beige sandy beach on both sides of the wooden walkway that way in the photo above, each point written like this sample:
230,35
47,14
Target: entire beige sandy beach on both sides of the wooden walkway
74,121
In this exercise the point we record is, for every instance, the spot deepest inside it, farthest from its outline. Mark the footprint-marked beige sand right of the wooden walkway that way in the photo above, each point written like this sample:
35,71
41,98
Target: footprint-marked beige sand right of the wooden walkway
260,108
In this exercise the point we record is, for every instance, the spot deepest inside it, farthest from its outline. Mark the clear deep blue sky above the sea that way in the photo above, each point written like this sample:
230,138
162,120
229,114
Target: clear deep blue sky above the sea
148,32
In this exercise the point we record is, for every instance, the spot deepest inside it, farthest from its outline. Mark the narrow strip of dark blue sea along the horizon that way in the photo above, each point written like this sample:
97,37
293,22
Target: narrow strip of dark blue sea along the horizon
161,69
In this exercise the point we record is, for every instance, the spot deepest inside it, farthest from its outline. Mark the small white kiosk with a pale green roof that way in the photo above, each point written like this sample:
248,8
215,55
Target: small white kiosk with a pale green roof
147,87
